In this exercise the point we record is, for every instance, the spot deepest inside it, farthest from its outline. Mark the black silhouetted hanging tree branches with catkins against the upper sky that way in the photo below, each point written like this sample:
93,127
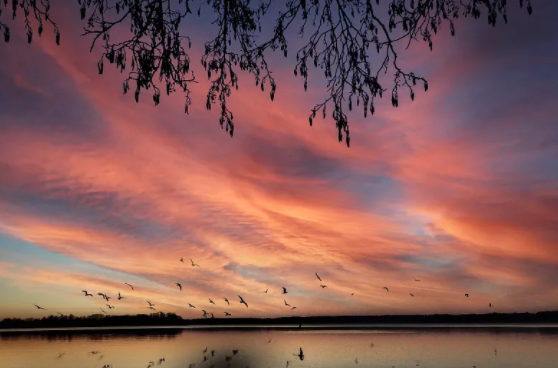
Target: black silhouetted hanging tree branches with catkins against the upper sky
342,37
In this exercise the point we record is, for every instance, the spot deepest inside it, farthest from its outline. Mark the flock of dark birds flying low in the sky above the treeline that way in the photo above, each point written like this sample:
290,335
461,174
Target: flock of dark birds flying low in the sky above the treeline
205,313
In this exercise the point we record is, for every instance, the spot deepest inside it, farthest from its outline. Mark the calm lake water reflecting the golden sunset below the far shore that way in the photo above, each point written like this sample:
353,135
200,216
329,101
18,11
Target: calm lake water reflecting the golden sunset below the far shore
268,348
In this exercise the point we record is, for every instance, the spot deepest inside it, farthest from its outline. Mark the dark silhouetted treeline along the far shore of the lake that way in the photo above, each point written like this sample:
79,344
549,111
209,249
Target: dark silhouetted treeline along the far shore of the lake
171,319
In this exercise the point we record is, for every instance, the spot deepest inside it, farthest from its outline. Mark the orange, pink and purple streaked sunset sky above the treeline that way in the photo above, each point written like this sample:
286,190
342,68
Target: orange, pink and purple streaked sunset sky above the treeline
458,188
